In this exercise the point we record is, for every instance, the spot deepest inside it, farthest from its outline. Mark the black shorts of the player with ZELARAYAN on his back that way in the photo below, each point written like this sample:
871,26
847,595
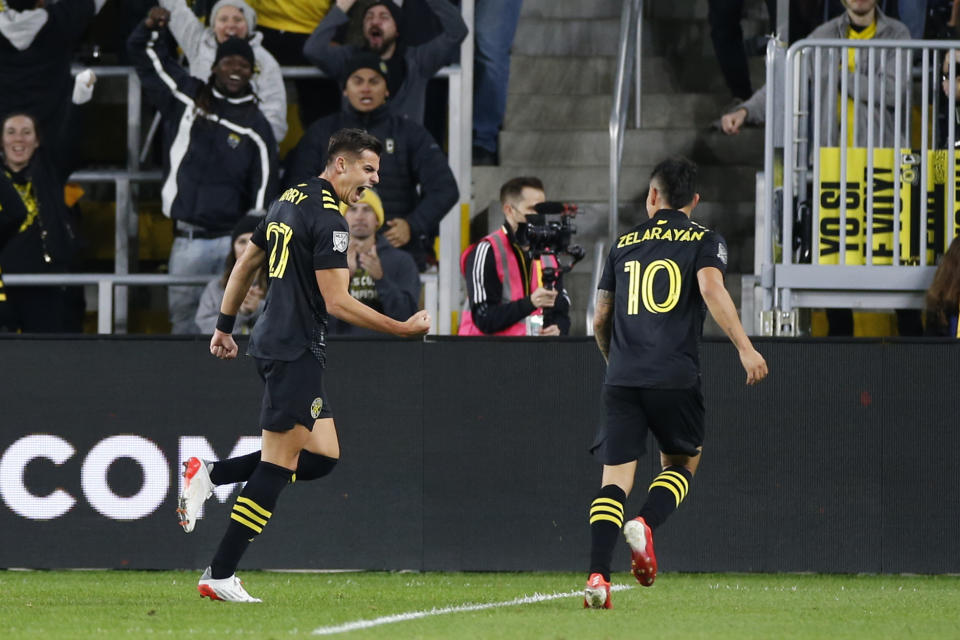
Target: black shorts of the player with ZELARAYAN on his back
674,416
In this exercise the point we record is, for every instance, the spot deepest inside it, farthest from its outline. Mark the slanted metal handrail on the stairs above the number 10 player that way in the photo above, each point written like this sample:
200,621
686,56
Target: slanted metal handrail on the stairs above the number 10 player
628,59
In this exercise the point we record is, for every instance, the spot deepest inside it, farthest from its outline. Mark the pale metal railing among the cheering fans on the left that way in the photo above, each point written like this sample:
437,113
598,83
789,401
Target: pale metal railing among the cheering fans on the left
441,290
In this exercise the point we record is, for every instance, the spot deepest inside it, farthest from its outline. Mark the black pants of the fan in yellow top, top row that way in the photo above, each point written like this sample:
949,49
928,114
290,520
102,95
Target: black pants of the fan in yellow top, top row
316,97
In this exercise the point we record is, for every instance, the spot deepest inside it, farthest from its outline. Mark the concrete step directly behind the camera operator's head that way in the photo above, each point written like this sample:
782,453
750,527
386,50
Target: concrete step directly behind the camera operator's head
724,183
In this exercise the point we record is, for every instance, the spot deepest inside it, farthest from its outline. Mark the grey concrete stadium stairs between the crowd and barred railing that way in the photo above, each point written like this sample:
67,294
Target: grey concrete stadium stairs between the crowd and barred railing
561,87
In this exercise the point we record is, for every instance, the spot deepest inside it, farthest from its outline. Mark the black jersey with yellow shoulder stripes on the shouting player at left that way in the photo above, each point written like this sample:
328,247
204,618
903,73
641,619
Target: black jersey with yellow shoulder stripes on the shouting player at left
302,232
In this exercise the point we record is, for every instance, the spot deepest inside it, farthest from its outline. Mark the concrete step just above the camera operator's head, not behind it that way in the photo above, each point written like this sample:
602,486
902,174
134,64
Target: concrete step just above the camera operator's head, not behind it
592,148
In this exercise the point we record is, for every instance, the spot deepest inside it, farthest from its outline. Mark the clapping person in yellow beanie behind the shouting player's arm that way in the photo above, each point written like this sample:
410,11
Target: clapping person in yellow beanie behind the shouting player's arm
381,277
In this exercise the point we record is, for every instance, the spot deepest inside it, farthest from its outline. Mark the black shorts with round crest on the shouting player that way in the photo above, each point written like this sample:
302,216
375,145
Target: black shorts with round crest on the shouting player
293,393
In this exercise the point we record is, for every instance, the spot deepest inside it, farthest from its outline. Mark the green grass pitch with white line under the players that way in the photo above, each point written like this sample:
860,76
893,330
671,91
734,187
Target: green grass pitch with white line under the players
143,604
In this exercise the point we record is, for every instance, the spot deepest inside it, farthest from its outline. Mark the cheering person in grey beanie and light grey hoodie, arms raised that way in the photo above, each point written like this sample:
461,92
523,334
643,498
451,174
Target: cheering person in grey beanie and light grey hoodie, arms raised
231,19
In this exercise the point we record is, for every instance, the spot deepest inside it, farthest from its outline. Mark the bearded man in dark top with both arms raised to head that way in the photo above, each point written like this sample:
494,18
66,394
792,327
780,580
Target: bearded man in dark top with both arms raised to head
407,68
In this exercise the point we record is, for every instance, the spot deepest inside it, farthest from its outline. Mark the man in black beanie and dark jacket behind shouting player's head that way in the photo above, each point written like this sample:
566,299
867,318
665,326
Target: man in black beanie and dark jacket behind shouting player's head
411,158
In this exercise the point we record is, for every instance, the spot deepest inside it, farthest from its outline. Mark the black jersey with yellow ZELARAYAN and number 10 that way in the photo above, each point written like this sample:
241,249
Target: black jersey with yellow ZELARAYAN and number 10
658,309
